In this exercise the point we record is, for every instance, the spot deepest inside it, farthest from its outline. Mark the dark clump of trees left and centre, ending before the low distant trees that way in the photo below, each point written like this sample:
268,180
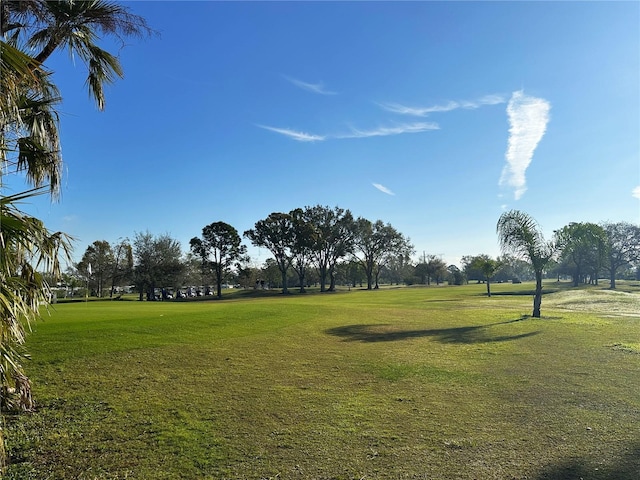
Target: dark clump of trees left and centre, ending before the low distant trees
316,245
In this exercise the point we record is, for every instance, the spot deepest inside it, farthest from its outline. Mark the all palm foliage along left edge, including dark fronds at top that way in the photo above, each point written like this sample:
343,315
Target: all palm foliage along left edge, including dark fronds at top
29,145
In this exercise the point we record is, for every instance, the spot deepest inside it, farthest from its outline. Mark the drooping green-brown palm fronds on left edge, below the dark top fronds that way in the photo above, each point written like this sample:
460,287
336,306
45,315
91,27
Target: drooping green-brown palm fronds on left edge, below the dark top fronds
28,144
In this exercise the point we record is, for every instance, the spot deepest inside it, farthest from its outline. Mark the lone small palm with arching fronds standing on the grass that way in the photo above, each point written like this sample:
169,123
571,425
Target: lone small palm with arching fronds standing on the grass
520,235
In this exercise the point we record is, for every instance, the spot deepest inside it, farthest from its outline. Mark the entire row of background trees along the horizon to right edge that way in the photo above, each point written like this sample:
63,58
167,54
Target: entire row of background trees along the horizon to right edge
326,246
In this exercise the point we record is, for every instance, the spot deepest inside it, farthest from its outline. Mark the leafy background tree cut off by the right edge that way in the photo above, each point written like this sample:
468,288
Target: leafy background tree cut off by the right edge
623,247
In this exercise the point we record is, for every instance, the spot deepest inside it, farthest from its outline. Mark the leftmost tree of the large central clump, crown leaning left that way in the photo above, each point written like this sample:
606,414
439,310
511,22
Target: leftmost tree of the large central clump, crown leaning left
276,233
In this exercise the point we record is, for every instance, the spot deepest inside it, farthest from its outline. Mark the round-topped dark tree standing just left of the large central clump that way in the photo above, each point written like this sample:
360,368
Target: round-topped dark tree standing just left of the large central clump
219,249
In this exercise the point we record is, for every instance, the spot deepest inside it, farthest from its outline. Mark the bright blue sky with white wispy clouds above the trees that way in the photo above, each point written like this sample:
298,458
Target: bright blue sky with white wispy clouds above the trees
433,116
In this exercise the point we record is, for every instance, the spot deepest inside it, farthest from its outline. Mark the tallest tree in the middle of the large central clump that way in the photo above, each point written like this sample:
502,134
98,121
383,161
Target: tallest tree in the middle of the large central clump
333,239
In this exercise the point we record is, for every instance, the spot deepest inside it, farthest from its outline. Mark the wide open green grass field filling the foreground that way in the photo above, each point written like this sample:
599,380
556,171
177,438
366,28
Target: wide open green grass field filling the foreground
421,383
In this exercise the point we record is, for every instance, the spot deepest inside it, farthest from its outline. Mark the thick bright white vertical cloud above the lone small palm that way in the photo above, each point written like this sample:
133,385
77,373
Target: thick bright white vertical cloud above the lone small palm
528,118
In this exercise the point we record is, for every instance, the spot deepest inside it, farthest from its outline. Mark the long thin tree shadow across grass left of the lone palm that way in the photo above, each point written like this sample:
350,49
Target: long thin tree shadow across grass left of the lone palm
386,333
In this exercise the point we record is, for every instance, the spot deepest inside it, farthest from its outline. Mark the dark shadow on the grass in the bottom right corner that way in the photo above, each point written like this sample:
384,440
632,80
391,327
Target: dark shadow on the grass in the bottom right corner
625,467
